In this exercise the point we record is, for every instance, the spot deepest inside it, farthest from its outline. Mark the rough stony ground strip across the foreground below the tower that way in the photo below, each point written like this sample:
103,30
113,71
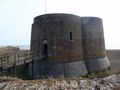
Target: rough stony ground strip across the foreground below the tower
111,82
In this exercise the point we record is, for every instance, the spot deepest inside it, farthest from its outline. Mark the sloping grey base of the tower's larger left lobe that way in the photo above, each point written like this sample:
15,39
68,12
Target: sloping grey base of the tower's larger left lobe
58,69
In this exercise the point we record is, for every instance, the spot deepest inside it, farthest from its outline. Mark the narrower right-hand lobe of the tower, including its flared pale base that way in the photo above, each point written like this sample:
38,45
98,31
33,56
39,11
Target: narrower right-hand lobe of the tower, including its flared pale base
94,46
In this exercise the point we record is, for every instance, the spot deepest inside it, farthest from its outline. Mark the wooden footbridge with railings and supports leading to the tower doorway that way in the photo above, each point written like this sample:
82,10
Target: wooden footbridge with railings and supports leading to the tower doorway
9,63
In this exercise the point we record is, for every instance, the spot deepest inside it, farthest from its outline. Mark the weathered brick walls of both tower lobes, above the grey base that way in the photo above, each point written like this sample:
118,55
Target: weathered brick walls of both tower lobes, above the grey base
87,34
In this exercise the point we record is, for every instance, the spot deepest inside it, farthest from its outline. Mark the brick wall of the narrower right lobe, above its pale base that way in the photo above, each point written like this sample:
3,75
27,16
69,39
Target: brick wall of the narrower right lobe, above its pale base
93,38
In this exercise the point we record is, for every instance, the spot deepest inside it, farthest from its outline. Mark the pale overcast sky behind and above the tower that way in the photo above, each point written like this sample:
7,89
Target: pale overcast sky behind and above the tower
16,17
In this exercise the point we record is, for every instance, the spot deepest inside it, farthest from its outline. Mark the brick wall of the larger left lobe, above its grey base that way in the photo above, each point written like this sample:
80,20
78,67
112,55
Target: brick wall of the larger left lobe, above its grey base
56,28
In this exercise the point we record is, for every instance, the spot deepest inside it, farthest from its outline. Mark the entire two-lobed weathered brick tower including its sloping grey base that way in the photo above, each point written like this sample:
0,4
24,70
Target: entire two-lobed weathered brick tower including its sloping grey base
71,45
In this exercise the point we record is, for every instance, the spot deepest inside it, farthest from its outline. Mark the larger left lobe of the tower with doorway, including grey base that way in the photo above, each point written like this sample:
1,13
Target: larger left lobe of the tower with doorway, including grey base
59,37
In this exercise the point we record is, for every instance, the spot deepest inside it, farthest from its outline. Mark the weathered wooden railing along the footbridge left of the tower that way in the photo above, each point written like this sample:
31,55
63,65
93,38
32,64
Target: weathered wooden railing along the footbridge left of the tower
7,61
